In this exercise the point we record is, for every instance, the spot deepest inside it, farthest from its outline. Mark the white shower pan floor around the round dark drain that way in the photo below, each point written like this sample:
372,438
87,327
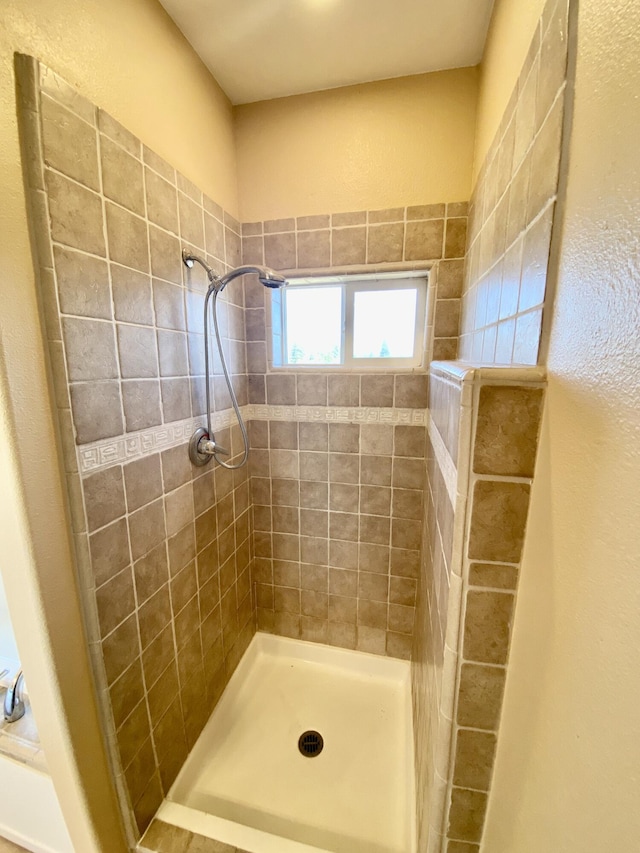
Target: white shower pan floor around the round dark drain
248,784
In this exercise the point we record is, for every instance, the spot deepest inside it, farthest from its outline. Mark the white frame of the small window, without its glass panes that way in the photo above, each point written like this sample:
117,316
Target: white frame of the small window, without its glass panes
352,284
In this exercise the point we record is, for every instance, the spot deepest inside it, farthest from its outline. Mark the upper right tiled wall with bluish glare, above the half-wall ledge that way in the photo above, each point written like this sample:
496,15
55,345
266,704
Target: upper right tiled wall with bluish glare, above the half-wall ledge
511,212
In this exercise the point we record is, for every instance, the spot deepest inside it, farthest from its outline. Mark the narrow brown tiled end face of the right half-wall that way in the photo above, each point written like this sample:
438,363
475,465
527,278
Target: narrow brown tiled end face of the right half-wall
505,424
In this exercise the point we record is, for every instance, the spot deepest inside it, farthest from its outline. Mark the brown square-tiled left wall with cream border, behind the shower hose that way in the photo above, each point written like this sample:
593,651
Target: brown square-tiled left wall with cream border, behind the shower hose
163,549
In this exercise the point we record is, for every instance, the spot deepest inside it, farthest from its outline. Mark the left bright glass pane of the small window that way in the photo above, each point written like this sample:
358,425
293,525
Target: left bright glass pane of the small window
314,325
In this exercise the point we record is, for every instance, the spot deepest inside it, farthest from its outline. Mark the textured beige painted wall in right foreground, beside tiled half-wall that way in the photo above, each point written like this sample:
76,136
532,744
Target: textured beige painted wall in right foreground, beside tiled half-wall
567,766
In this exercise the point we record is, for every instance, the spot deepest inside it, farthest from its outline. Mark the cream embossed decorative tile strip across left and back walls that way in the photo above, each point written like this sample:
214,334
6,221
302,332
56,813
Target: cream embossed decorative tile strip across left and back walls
114,451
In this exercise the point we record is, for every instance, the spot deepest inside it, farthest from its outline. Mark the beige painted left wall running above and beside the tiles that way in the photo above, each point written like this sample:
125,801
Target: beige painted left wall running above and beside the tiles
126,56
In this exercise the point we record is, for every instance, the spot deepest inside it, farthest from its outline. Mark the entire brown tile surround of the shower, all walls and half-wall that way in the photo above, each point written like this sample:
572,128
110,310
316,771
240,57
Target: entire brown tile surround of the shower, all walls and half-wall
359,520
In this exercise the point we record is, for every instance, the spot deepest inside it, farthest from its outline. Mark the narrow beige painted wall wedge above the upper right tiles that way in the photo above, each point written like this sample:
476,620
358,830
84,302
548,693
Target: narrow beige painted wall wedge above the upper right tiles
510,31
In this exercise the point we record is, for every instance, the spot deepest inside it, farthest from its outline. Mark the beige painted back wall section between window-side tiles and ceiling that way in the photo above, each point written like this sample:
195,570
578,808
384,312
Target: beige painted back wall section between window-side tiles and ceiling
384,144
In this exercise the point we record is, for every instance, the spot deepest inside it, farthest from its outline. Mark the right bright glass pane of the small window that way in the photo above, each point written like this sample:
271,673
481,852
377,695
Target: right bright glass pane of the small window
384,323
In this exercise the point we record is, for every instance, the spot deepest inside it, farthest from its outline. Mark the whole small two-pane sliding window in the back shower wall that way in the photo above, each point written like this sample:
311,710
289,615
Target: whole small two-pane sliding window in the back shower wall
349,321
